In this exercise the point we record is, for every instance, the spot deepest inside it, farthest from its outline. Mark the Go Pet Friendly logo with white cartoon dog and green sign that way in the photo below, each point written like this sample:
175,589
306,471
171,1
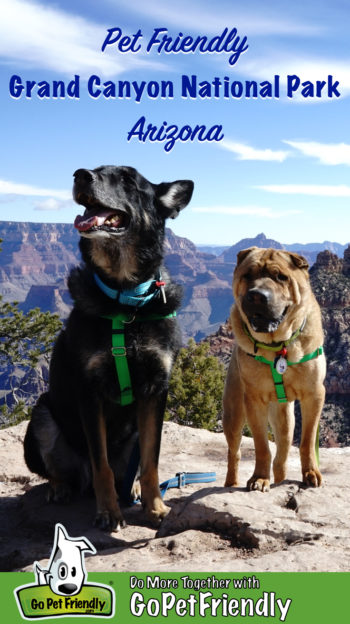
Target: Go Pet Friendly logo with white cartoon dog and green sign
60,589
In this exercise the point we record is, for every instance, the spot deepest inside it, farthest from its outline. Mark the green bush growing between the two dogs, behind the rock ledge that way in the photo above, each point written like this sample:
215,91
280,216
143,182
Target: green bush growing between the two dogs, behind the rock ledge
196,388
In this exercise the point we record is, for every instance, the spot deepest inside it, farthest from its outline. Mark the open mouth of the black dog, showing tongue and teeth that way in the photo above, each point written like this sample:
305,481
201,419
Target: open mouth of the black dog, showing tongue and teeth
102,219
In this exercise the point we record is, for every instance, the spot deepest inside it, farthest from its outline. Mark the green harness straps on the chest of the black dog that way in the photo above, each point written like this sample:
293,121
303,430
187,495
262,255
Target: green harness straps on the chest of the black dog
119,349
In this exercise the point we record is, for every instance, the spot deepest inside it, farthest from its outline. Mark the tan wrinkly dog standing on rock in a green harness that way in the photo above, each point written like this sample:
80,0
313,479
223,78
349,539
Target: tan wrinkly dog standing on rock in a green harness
277,358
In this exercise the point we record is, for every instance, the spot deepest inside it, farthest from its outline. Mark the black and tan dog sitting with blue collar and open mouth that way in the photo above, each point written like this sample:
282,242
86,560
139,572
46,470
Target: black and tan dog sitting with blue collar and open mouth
111,365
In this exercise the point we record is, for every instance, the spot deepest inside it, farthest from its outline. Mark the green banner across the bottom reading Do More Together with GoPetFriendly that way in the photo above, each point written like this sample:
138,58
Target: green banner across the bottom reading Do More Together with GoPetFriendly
295,598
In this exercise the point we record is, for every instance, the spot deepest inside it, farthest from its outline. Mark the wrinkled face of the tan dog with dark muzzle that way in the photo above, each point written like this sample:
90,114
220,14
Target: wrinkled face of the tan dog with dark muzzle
267,285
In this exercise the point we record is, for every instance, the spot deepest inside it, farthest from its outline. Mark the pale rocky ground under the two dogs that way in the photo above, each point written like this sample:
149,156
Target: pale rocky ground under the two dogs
208,528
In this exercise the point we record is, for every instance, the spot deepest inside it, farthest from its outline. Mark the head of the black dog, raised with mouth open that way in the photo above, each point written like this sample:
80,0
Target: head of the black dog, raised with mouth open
124,217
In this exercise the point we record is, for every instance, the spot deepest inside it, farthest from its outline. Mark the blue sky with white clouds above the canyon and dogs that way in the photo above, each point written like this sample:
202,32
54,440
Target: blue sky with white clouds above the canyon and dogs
283,164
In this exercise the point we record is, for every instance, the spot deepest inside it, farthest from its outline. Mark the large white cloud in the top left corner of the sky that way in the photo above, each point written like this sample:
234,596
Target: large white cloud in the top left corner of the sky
42,36
